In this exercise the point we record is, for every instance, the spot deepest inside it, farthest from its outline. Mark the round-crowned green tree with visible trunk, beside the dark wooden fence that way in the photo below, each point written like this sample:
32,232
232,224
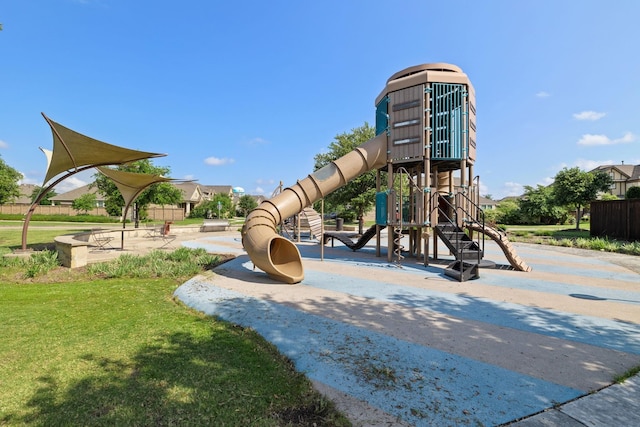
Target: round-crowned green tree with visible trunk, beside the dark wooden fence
576,188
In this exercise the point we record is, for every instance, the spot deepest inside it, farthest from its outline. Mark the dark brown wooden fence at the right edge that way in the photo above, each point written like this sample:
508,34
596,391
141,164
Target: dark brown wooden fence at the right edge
618,219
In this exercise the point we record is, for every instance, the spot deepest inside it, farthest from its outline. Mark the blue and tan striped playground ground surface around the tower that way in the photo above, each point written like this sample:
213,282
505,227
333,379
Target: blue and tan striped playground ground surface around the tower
409,346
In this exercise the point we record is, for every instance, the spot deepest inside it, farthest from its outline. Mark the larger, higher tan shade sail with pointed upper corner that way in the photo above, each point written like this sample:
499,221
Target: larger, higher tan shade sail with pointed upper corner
72,150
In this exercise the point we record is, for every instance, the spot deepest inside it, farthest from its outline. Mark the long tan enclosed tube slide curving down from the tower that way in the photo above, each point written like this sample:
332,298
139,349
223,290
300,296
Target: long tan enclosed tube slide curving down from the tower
279,257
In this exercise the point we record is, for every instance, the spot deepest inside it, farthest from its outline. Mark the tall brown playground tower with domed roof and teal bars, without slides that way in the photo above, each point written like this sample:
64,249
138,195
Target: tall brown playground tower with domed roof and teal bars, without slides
429,117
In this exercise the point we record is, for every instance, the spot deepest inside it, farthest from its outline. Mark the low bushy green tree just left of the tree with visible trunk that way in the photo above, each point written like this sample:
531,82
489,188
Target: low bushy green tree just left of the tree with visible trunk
539,207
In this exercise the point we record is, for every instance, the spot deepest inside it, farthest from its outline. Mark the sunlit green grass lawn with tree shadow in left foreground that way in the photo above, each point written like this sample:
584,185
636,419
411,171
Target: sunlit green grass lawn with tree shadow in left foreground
84,349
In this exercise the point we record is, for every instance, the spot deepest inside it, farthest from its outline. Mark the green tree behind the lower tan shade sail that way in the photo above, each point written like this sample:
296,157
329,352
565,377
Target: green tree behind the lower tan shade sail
161,193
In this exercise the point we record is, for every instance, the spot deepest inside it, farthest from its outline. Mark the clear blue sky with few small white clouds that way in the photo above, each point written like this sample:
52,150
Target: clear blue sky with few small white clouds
245,93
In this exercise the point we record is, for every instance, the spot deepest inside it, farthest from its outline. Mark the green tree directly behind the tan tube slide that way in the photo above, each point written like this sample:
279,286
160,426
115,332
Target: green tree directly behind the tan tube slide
358,195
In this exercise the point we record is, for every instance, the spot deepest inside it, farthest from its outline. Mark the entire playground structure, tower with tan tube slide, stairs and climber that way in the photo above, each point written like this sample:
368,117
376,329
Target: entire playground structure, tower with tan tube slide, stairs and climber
425,136
